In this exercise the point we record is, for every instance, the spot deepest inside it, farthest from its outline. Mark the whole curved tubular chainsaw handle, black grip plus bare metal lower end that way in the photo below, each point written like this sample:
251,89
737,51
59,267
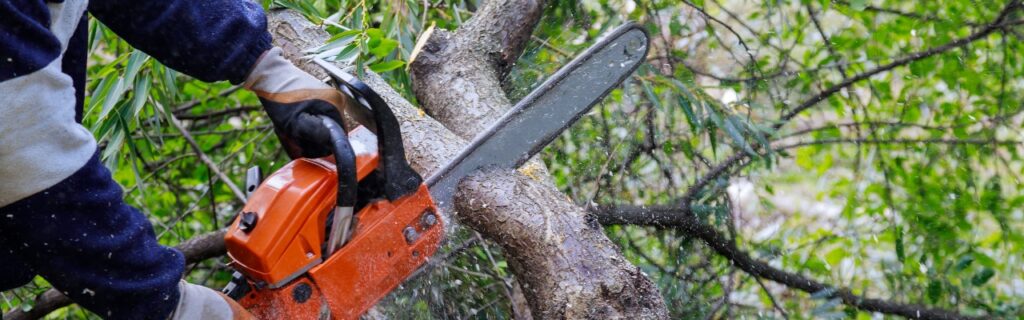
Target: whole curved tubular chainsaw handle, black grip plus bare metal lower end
345,159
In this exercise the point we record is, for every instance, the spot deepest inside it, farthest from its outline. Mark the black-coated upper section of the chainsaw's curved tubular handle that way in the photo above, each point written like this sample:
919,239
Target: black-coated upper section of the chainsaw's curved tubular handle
345,159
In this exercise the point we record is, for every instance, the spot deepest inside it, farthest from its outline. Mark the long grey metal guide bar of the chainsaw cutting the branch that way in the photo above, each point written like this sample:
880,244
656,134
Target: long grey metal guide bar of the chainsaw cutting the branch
545,113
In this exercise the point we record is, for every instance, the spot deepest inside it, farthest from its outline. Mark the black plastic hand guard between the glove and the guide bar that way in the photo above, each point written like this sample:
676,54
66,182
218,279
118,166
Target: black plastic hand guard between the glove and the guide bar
400,179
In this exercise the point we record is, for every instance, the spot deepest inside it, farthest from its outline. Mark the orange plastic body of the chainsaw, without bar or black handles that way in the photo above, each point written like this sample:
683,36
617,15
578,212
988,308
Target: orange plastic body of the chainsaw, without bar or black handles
282,258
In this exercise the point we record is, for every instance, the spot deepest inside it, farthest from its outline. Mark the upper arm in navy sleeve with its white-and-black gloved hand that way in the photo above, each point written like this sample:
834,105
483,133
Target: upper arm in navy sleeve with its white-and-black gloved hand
228,41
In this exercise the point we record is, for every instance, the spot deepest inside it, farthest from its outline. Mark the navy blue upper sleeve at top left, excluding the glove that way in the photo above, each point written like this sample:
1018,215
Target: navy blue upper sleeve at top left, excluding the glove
211,41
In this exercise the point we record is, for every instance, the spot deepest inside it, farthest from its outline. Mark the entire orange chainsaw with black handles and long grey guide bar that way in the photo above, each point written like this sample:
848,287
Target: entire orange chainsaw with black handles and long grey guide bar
328,238
